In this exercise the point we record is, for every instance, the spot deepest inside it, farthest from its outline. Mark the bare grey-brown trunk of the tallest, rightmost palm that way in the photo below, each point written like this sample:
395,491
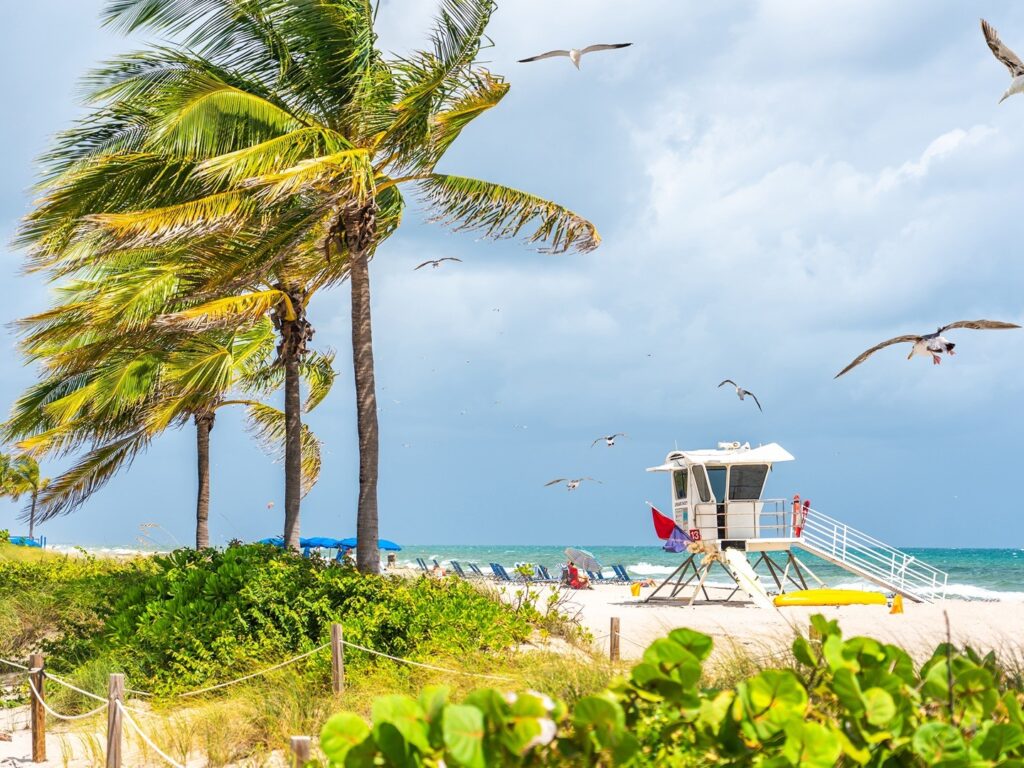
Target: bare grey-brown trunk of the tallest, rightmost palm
360,232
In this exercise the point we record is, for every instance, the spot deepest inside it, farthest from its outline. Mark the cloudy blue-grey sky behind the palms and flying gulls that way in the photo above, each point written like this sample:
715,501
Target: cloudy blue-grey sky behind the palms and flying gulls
779,185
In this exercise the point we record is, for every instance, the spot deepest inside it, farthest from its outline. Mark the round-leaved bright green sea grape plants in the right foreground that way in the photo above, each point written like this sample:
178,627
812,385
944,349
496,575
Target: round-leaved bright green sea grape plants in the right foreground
849,702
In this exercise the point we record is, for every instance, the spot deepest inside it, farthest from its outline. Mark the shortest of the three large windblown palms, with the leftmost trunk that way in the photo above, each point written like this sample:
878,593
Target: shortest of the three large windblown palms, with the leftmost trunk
118,397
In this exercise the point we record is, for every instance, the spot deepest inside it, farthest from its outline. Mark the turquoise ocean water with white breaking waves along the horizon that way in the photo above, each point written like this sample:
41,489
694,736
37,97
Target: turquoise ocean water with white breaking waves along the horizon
974,574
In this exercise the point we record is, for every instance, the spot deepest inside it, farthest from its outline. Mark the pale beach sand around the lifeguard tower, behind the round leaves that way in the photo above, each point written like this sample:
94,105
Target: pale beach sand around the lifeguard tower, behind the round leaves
987,626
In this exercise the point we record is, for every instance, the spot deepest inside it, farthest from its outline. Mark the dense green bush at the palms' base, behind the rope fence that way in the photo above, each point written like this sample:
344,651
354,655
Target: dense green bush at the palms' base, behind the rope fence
205,617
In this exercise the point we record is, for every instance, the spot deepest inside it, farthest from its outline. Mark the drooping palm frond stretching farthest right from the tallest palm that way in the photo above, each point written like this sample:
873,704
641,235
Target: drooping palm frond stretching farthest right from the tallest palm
501,212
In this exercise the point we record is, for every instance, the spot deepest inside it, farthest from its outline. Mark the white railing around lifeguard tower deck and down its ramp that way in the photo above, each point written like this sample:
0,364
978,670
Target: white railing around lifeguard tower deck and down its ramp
837,543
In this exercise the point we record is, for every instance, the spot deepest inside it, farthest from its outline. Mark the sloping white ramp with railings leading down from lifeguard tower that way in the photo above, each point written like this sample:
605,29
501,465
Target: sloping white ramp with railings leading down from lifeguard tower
871,560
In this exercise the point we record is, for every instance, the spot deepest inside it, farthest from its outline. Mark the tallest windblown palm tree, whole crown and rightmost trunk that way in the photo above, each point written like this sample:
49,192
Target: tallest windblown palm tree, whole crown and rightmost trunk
292,136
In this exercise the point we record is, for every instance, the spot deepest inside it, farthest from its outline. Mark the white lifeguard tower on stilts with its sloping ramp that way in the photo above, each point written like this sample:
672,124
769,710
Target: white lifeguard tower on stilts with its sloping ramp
718,504
